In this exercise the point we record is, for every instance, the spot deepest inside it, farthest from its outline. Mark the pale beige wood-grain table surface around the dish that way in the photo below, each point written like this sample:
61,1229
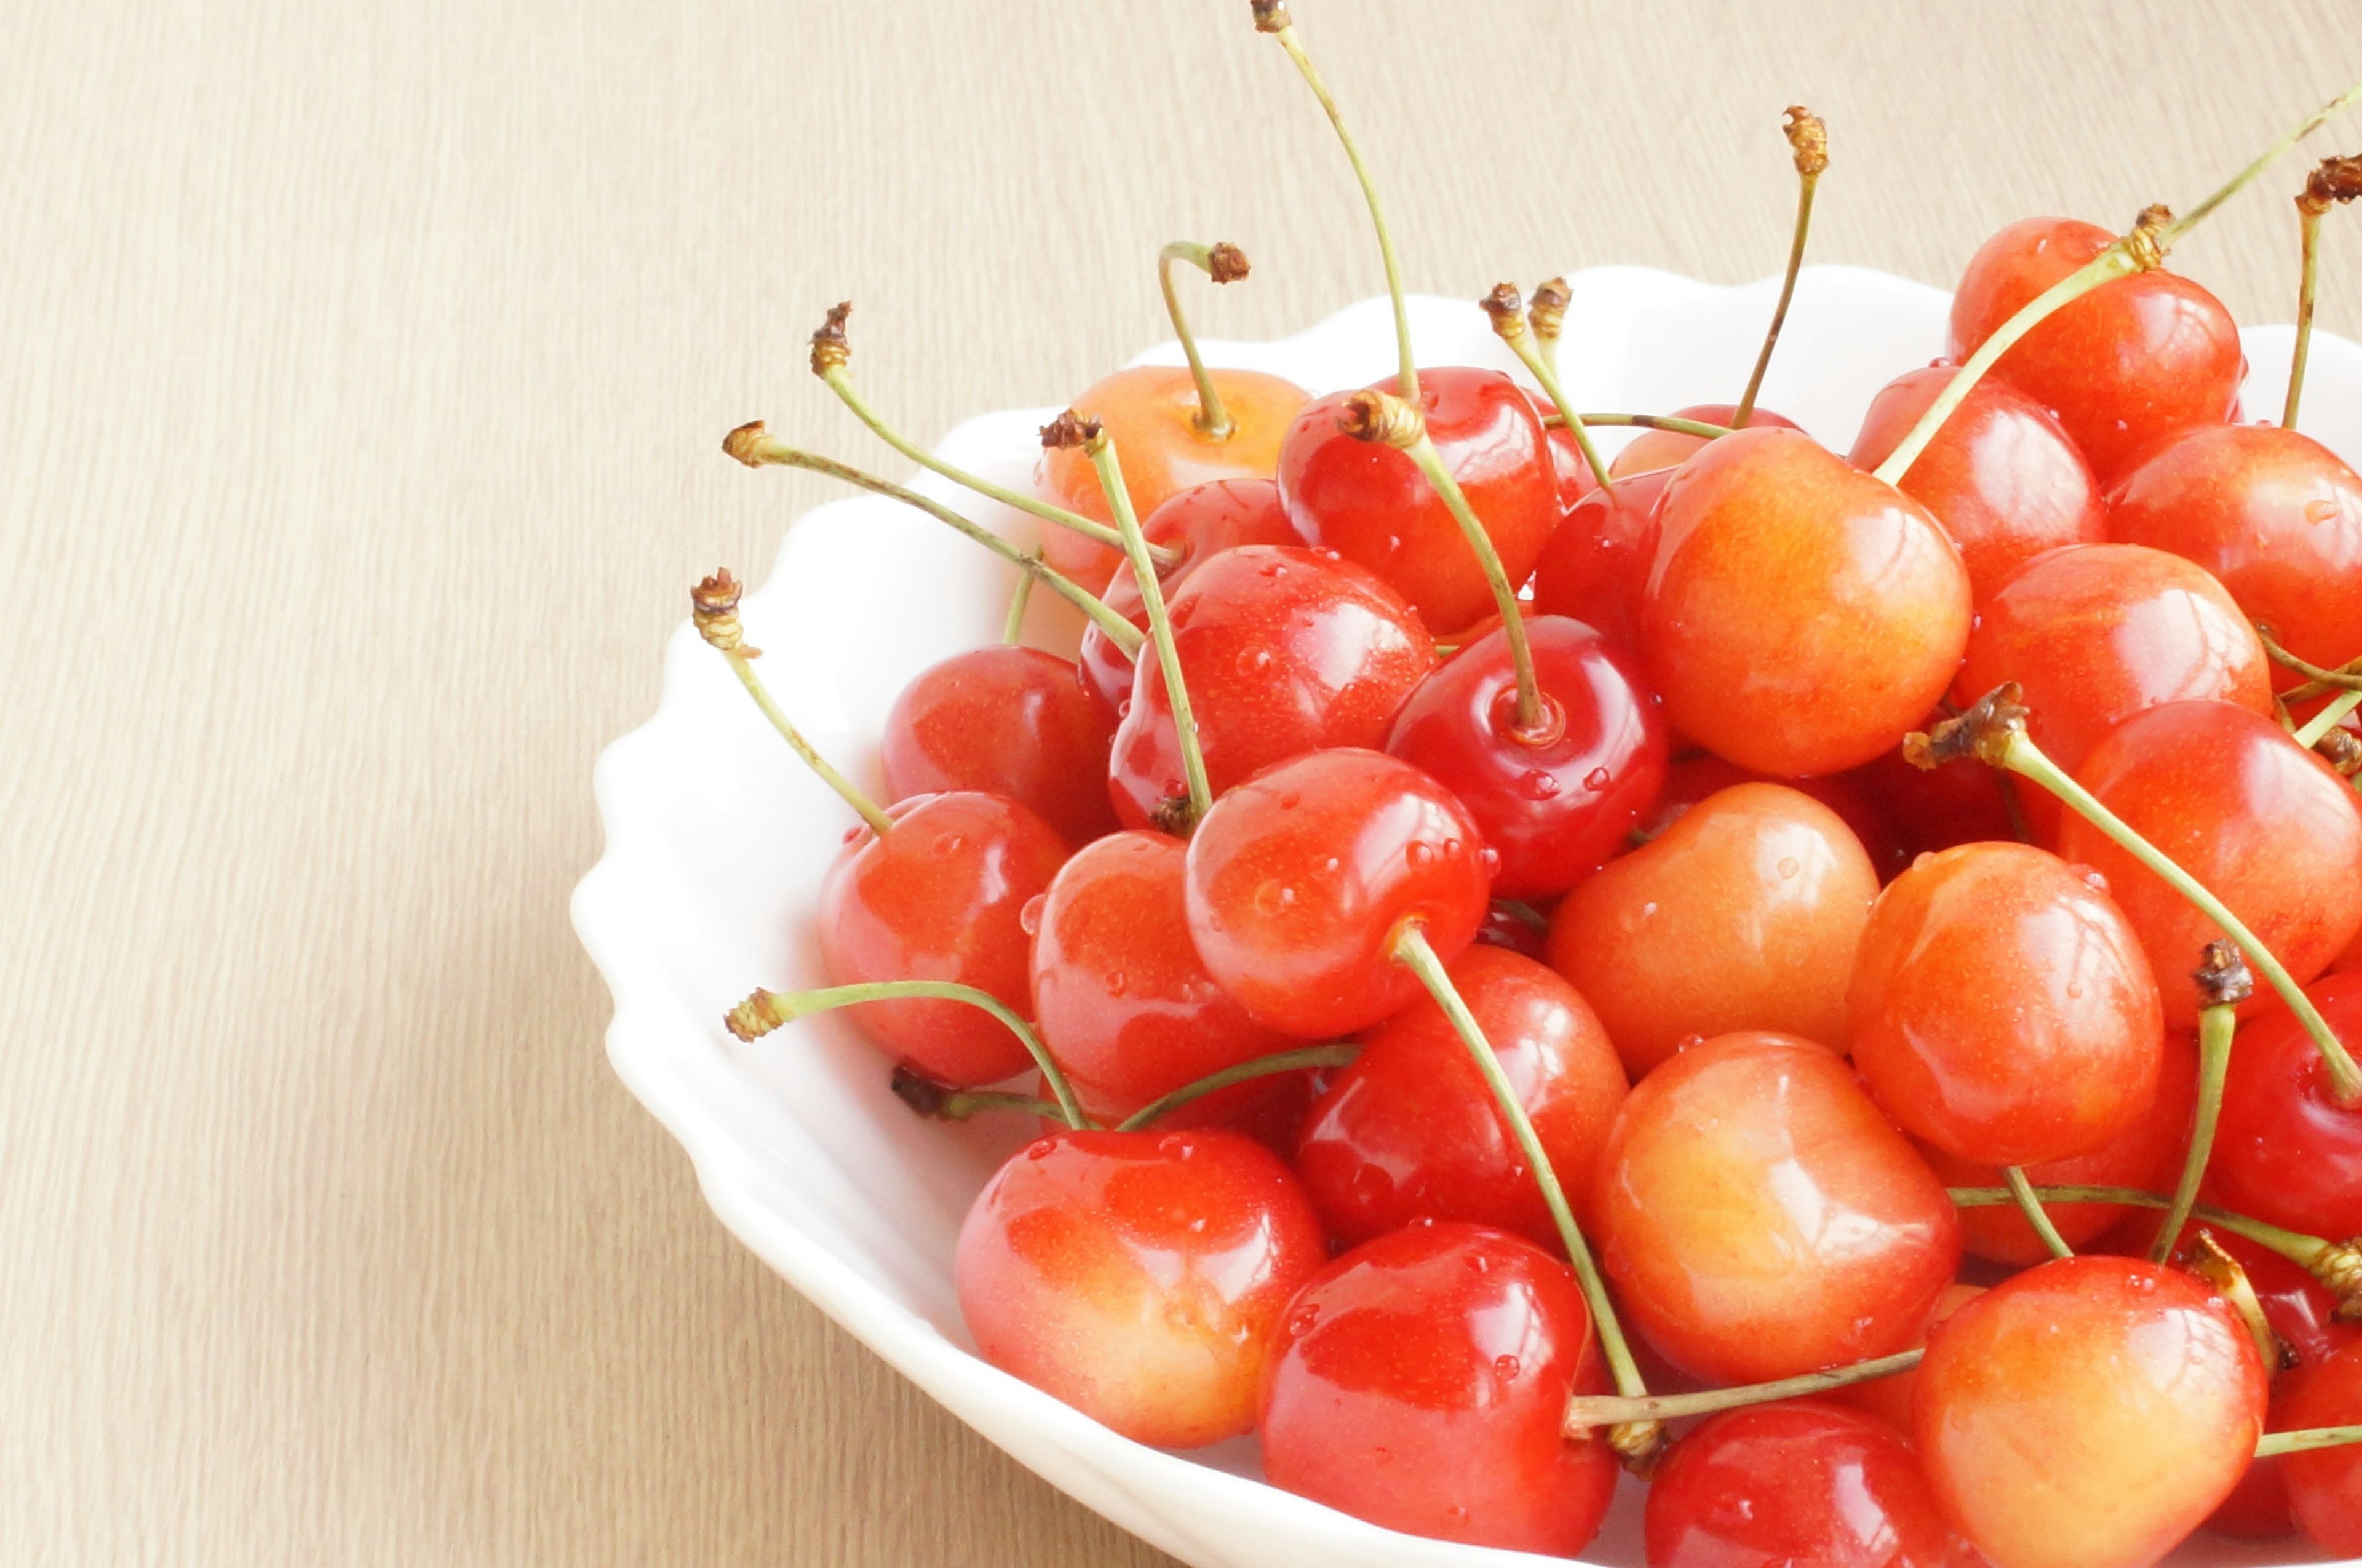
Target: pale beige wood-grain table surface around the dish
360,386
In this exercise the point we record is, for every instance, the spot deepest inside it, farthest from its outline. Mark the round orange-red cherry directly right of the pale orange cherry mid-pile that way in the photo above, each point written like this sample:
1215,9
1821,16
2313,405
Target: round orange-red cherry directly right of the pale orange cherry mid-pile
2002,1007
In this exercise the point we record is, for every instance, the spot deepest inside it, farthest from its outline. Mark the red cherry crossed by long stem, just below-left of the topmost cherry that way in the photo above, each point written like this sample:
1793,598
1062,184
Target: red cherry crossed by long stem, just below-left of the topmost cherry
2002,476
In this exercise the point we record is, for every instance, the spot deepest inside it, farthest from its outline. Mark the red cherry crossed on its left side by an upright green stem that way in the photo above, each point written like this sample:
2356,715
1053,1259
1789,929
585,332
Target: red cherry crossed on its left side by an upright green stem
1284,653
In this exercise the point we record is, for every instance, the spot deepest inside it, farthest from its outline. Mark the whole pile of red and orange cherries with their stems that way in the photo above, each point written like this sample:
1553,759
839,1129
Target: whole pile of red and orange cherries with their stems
1527,953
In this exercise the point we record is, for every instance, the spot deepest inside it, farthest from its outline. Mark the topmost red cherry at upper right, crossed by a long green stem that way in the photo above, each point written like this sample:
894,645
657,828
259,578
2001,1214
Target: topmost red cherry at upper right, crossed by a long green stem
2122,367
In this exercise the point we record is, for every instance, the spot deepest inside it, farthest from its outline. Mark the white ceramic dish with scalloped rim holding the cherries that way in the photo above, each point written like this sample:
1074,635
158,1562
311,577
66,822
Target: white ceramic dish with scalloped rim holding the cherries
717,842
